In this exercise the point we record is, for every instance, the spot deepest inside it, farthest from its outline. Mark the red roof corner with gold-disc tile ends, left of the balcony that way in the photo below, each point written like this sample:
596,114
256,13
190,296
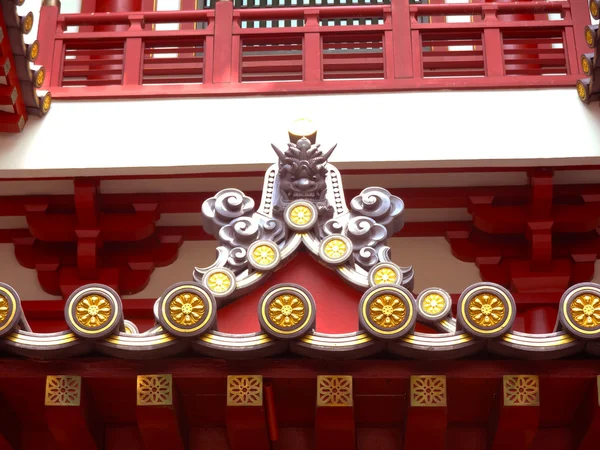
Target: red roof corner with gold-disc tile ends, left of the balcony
20,77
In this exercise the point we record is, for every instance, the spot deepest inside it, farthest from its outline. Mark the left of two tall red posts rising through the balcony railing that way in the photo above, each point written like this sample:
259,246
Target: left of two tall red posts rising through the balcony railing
222,42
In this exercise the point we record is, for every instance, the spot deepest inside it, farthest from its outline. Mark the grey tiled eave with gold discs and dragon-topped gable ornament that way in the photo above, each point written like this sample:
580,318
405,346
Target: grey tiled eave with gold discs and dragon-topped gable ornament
289,272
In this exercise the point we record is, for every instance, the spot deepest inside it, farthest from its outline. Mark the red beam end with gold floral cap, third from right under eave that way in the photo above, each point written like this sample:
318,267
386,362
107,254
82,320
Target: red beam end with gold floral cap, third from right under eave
334,420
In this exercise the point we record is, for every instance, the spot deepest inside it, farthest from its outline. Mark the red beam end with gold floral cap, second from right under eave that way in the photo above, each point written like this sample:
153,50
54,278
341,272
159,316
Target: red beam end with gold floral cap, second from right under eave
427,413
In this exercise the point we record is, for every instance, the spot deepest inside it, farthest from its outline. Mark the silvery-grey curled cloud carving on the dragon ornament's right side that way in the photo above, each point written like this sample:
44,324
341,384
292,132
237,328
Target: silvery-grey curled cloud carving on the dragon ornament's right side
379,204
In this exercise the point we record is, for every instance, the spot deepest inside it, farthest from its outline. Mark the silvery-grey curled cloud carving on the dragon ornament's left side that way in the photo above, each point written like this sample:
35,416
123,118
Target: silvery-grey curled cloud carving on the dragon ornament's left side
227,205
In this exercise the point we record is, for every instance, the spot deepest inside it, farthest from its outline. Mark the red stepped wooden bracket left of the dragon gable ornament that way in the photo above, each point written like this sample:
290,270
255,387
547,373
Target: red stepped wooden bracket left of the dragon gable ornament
85,243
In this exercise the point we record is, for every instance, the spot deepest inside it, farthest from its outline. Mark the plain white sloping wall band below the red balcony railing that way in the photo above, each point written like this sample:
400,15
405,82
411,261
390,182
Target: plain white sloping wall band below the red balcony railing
378,130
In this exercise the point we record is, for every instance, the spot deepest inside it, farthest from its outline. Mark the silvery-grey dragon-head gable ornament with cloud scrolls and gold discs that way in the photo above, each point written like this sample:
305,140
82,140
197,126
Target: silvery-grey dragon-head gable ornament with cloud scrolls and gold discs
302,202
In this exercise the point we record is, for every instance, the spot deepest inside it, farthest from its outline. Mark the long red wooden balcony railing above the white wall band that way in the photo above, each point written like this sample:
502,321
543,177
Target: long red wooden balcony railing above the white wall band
312,49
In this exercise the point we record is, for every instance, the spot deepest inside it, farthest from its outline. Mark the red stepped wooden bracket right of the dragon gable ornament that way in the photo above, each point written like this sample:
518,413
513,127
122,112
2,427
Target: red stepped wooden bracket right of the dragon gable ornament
543,243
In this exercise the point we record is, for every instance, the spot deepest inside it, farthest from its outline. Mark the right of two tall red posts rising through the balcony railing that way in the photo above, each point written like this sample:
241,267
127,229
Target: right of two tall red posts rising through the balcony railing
403,61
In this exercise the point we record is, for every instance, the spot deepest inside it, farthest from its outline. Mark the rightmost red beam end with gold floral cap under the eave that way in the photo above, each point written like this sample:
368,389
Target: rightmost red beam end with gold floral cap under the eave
515,416
